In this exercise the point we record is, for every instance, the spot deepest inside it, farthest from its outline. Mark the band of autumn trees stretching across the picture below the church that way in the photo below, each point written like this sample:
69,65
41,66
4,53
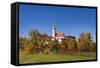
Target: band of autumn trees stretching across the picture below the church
39,43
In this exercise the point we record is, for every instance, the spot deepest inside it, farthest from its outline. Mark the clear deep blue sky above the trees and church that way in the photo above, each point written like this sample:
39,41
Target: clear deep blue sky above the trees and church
70,20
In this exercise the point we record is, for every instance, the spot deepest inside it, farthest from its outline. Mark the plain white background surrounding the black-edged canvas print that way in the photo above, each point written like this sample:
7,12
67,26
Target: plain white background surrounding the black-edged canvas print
5,34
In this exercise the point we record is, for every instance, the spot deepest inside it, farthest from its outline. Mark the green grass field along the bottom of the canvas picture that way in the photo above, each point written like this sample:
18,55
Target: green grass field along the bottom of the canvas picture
39,58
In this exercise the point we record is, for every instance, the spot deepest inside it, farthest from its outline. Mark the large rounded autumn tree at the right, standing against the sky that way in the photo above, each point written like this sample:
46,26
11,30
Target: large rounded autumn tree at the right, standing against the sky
85,41
